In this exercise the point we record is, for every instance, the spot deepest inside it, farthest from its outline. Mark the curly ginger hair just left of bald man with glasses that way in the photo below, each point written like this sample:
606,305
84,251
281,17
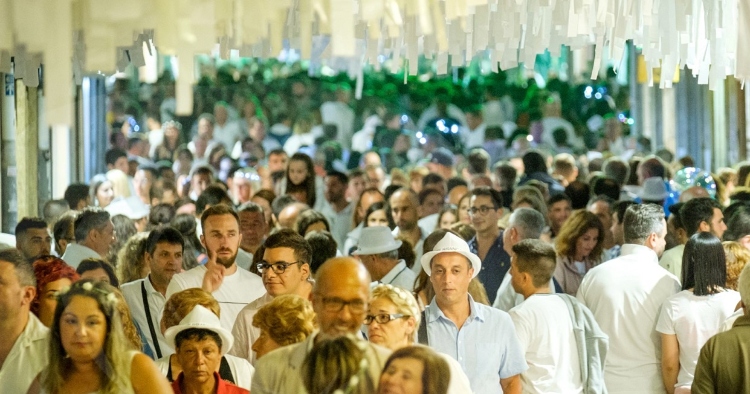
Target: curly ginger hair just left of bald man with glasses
288,319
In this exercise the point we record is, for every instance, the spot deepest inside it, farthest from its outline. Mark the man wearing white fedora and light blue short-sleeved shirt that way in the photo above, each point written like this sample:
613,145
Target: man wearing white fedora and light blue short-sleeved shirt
482,339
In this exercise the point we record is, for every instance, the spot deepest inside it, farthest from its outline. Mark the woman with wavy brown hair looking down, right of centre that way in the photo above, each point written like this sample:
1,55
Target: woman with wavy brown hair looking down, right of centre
579,248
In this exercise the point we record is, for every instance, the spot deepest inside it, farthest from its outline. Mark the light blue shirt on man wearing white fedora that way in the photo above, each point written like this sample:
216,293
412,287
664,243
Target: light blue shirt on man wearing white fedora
486,347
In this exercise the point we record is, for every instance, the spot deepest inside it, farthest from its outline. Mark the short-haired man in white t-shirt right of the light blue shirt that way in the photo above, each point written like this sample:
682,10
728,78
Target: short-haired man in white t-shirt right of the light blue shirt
543,323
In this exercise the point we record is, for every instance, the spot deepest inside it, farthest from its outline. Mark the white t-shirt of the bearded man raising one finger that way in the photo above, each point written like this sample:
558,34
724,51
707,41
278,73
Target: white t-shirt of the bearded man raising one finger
236,291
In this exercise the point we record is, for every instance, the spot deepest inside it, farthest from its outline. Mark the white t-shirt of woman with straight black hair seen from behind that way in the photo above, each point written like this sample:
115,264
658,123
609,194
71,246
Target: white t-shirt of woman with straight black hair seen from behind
694,319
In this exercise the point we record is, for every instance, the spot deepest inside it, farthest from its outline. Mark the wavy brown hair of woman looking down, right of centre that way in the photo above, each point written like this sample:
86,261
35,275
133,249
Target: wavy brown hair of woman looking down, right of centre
578,224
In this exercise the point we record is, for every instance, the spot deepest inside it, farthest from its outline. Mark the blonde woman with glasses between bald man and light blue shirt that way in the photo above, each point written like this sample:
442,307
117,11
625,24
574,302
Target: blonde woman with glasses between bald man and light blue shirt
392,321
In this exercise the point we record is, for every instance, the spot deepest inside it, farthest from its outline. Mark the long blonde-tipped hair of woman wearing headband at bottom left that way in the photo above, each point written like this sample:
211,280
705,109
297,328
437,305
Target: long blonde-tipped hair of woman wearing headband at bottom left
114,358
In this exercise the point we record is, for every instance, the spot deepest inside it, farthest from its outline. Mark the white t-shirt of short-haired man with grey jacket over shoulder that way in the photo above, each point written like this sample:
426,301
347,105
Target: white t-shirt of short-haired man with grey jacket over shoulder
545,332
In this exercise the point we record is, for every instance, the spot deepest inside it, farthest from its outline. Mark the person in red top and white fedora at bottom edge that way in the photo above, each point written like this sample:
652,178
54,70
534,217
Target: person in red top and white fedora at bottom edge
200,343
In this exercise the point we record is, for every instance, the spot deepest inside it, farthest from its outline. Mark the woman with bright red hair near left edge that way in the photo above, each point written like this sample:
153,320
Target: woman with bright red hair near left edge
52,275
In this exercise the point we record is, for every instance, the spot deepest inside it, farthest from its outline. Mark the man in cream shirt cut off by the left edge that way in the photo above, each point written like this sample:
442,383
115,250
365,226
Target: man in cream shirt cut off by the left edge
24,339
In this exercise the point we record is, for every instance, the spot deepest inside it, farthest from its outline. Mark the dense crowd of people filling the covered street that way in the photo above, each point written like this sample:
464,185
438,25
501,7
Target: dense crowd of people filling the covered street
316,258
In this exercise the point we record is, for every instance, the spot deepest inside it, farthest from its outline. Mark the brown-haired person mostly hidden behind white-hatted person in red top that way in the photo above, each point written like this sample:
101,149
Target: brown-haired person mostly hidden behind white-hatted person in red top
233,369
